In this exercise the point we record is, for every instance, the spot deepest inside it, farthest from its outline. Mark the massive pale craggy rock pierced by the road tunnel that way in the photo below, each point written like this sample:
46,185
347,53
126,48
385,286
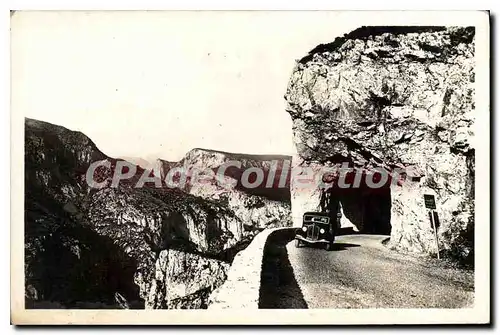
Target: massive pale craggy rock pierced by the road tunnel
393,97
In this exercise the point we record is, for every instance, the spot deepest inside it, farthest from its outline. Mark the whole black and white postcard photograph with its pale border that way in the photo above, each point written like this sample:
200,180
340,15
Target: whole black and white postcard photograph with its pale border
326,167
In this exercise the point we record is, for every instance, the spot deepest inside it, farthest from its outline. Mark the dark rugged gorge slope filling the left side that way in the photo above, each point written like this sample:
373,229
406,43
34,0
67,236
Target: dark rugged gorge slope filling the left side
122,247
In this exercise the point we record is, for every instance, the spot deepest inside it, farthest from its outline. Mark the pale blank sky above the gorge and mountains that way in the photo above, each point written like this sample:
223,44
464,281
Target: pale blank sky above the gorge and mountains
157,84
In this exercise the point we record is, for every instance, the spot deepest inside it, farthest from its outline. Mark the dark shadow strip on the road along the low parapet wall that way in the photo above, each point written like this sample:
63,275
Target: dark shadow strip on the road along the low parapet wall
279,288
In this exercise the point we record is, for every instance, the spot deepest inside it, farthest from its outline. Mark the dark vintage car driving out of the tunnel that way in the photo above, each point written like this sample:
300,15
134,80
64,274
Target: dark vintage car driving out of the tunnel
316,228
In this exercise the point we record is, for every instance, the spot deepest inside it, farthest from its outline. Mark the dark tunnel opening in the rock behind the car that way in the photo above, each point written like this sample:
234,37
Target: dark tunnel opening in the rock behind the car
367,208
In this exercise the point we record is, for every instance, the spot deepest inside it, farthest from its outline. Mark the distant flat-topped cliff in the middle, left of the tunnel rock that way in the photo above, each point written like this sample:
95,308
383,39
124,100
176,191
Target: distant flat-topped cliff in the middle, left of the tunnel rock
257,207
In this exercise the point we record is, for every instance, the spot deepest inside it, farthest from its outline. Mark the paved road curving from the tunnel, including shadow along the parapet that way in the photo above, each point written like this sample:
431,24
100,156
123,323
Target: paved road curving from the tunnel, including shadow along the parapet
362,273
